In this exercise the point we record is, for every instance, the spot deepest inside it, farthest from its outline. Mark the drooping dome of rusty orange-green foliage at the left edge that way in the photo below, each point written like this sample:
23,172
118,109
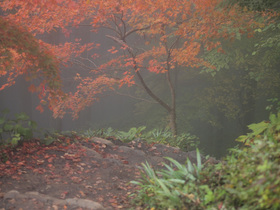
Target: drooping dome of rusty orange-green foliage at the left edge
22,54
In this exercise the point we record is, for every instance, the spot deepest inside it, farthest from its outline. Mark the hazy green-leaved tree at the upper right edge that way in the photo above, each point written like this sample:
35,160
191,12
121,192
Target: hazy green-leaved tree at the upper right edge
254,63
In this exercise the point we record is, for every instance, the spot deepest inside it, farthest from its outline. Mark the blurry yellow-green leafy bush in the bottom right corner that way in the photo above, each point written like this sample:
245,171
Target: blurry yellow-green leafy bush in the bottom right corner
252,173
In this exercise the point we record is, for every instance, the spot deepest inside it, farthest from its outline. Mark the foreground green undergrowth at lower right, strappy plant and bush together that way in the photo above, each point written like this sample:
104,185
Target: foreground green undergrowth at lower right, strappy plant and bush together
248,178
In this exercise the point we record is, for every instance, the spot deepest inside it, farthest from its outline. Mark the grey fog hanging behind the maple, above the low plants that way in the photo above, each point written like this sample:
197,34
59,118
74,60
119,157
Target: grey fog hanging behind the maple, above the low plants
121,112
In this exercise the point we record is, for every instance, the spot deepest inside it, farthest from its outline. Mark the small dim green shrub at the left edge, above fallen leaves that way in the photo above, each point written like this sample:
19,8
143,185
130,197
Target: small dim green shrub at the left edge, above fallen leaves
14,130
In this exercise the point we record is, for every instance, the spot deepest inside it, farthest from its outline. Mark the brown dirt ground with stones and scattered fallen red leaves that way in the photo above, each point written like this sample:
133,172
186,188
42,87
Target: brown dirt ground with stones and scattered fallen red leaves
77,173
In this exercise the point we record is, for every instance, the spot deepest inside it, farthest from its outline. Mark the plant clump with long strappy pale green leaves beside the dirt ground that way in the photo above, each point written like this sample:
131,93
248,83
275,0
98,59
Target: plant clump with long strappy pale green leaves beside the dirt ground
172,188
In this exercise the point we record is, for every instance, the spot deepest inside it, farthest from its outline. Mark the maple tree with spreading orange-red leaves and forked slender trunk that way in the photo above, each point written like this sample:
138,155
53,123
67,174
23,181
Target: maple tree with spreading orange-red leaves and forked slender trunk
170,35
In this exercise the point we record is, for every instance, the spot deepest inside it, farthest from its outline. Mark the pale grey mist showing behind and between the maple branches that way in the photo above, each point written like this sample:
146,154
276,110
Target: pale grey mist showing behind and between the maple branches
207,119
